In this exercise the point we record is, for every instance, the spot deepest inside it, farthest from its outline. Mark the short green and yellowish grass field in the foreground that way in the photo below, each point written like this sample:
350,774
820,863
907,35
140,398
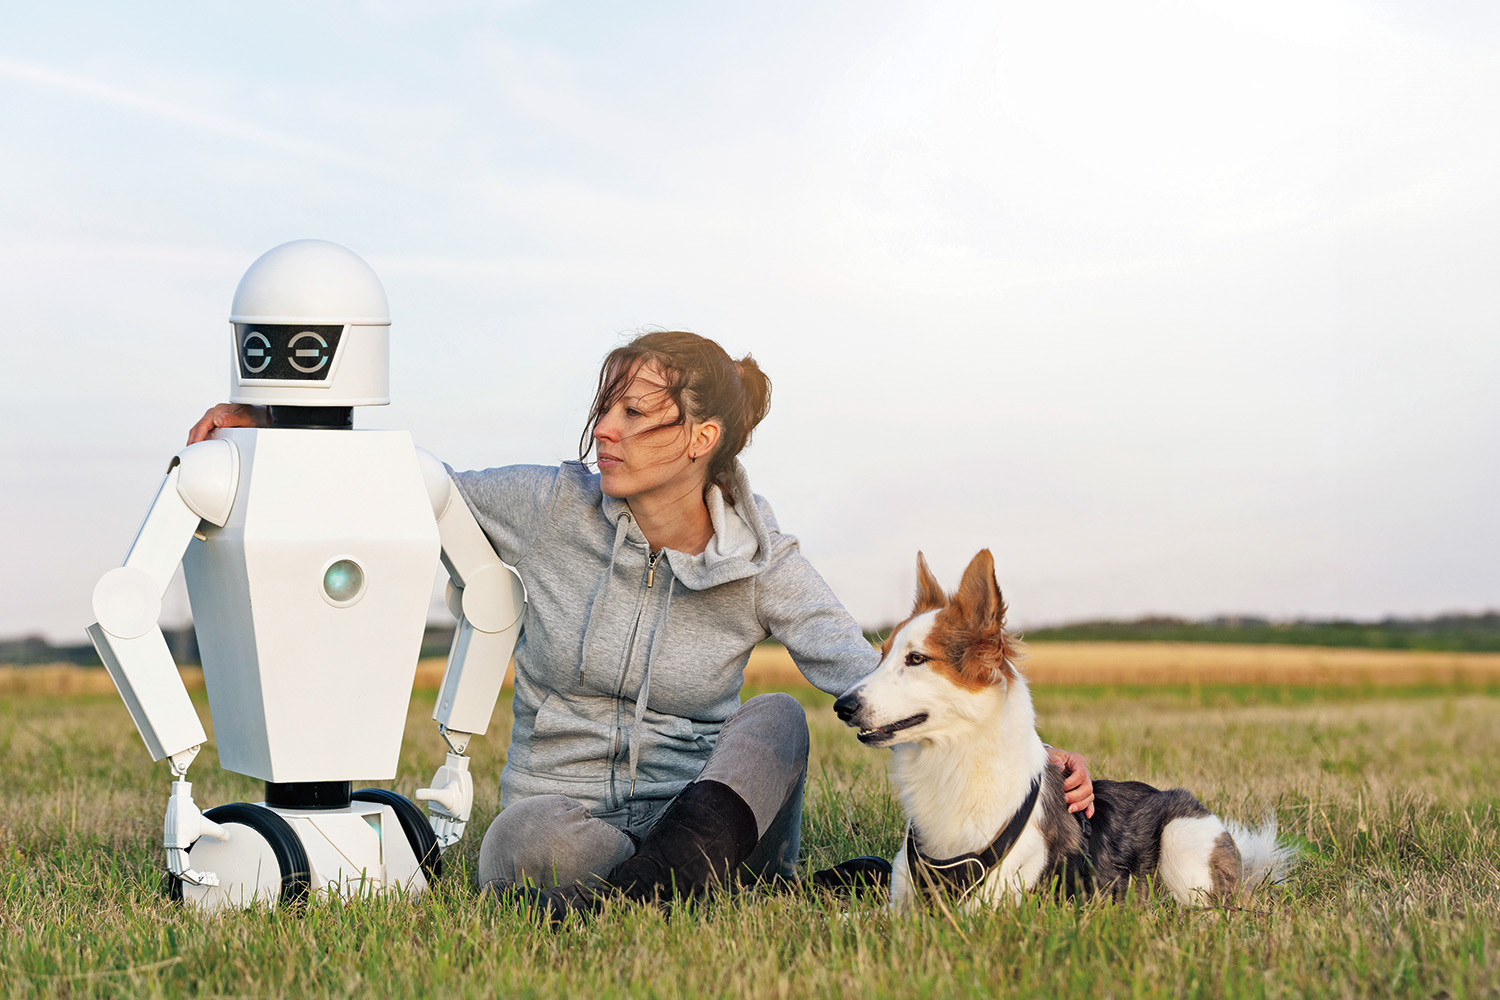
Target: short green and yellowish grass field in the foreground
1393,794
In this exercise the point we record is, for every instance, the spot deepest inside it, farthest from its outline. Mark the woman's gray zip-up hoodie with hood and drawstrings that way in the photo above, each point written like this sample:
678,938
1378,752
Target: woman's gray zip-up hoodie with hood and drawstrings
625,672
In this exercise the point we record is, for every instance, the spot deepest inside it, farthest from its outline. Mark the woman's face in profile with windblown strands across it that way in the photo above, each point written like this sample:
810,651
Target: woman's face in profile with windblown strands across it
638,455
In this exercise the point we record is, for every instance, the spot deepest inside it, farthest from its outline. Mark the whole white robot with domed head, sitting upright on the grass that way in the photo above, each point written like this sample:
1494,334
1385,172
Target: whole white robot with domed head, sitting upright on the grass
310,551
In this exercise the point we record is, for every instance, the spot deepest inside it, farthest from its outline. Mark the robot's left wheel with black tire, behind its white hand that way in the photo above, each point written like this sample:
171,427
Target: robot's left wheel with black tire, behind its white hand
259,833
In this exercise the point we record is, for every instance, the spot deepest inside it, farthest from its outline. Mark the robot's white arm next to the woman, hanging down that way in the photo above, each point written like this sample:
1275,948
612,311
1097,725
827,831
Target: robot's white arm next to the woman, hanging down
490,602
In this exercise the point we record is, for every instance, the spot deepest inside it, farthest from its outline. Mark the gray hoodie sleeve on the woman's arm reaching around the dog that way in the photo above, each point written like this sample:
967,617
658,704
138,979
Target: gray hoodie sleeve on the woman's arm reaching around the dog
800,611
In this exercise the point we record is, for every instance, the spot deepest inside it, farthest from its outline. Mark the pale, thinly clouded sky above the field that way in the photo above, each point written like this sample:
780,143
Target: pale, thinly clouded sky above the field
1178,308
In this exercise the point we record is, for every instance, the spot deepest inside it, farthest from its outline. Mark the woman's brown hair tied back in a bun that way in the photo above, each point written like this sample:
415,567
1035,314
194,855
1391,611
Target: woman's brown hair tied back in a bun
704,383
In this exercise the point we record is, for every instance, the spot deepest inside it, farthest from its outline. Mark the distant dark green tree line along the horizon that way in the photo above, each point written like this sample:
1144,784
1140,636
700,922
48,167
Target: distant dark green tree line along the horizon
1444,633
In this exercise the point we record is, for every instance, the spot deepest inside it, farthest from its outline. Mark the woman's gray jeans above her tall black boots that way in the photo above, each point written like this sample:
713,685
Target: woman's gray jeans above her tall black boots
761,755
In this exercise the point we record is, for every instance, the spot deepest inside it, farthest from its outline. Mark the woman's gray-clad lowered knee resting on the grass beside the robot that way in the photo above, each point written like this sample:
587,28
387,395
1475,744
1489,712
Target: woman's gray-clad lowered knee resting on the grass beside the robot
550,840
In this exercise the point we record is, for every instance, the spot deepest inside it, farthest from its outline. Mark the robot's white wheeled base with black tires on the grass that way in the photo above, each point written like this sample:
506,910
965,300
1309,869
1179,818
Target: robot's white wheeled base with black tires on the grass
377,845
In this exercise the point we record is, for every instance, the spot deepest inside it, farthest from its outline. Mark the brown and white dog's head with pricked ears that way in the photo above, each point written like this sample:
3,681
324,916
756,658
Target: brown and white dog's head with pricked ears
943,669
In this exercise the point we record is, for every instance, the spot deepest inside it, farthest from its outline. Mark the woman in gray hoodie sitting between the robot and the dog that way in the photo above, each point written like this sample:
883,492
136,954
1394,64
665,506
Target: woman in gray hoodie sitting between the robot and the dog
632,764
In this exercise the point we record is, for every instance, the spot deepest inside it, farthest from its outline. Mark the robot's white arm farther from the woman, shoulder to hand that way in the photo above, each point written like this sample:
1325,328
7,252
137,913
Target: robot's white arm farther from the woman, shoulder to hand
128,602
